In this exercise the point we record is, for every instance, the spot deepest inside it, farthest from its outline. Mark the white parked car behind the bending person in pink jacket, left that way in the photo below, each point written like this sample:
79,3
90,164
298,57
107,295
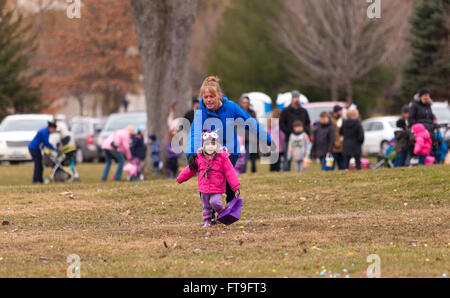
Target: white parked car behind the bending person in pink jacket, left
119,121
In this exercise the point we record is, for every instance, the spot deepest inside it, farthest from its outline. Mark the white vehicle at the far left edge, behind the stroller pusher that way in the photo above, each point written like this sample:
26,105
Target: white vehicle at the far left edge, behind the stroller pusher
16,132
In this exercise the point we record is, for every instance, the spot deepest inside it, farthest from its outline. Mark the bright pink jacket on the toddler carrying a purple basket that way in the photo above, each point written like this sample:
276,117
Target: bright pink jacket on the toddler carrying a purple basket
220,172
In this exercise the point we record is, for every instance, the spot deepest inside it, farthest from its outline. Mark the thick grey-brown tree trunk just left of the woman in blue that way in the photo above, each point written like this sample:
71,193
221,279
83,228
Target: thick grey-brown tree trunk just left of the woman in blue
164,29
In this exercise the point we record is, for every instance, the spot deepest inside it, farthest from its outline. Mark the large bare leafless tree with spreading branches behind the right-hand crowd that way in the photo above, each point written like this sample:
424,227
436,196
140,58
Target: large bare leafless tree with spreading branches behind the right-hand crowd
336,42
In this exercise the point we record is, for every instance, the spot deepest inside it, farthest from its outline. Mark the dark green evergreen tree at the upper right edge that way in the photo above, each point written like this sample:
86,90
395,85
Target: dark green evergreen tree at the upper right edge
430,62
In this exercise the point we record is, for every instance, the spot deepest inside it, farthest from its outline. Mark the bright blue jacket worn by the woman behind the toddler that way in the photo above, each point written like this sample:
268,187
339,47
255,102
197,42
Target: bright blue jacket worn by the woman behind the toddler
205,119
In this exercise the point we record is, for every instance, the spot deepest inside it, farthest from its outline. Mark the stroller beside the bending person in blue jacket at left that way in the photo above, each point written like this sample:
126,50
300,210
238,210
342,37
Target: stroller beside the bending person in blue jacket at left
63,165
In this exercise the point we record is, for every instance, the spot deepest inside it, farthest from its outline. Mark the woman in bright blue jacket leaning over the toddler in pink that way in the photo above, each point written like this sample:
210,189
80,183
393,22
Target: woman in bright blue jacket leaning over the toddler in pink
216,112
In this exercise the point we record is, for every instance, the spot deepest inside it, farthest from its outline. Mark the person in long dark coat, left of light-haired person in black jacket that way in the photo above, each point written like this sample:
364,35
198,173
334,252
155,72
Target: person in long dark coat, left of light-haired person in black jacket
323,140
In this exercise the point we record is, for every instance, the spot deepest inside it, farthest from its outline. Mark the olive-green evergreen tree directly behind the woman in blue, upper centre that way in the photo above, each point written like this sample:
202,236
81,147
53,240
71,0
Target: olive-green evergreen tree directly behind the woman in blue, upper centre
242,53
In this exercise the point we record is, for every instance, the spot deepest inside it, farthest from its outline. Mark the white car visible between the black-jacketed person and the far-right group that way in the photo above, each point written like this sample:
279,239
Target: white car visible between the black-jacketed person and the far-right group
378,133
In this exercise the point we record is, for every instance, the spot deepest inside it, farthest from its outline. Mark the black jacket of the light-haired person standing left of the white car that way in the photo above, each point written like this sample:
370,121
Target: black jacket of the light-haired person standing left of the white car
353,134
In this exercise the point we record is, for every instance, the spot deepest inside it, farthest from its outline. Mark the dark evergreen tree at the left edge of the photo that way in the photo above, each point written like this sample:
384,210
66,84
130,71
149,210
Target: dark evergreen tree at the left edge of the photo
17,43
